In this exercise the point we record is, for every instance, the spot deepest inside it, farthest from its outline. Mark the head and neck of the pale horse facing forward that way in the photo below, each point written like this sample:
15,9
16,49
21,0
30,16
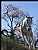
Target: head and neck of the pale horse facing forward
27,23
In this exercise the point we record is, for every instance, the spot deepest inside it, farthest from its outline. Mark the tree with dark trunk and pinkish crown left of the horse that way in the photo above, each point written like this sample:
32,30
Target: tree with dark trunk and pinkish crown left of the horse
11,12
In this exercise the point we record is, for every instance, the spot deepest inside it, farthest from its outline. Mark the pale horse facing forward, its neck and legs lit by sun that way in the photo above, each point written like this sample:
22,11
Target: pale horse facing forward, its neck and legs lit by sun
26,30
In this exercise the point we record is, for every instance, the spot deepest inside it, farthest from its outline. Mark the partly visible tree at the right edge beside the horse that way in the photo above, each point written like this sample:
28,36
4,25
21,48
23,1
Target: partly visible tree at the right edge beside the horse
35,25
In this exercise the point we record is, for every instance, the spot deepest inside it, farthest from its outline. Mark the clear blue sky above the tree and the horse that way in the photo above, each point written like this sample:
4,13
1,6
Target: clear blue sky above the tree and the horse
29,6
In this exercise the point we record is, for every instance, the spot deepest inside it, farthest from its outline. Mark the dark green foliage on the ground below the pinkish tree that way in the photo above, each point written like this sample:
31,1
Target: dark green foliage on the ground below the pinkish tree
11,44
